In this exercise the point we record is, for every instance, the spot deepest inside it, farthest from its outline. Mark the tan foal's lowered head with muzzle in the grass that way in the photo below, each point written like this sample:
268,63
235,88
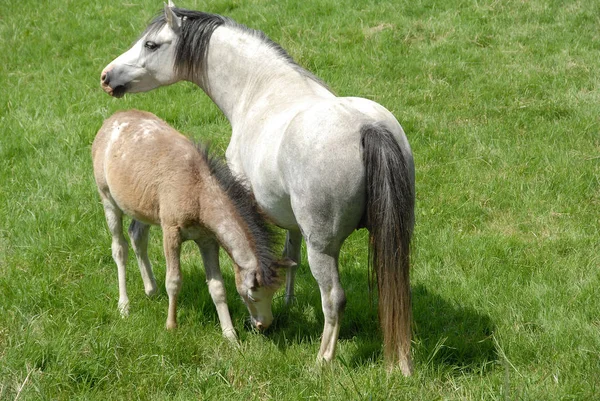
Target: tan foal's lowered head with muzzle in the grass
257,296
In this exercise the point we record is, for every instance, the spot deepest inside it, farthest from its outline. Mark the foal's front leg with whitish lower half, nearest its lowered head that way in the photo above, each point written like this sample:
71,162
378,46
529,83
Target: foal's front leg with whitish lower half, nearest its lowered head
210,257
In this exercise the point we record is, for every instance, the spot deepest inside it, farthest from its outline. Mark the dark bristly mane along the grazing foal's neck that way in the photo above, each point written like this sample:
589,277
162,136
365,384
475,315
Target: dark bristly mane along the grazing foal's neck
263,234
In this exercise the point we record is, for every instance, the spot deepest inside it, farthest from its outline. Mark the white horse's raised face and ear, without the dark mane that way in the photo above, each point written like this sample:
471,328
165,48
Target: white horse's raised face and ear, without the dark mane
149,63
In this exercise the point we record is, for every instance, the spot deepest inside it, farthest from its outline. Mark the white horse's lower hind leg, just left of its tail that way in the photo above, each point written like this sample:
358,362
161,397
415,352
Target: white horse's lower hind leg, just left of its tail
333,300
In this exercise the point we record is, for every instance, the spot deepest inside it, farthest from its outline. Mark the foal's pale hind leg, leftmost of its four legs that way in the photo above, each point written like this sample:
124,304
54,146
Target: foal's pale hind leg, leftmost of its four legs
114,219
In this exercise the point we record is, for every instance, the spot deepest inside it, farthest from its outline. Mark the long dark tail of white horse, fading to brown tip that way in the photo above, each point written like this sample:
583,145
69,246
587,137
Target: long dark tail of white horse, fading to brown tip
389,218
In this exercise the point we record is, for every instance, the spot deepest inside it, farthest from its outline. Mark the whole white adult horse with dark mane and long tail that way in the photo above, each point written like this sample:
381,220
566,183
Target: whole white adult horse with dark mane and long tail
320,166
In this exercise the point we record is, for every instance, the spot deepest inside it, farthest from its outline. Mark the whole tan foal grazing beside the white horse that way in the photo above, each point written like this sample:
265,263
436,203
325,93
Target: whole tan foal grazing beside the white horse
146,169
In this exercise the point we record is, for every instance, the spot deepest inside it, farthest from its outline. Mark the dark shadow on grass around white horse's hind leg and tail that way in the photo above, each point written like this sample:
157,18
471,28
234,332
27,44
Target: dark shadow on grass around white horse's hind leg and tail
444,333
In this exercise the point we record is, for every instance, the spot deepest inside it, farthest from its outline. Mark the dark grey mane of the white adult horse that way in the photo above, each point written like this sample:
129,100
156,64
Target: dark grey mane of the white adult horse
197,28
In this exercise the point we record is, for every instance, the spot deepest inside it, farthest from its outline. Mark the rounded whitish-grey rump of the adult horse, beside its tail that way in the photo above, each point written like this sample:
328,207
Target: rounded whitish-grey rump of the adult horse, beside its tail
320,160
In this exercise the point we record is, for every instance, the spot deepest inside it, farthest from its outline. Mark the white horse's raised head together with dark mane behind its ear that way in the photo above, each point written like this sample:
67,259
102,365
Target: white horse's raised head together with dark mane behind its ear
172,48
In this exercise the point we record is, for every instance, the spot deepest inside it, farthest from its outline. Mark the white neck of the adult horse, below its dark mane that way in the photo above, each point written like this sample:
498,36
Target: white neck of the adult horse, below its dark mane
244,72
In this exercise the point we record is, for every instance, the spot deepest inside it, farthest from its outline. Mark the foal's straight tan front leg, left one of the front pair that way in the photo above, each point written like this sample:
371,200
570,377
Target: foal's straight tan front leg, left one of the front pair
172,247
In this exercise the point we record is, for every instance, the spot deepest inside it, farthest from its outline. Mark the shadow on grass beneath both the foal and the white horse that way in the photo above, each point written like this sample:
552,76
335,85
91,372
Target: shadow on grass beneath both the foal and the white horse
445,333
